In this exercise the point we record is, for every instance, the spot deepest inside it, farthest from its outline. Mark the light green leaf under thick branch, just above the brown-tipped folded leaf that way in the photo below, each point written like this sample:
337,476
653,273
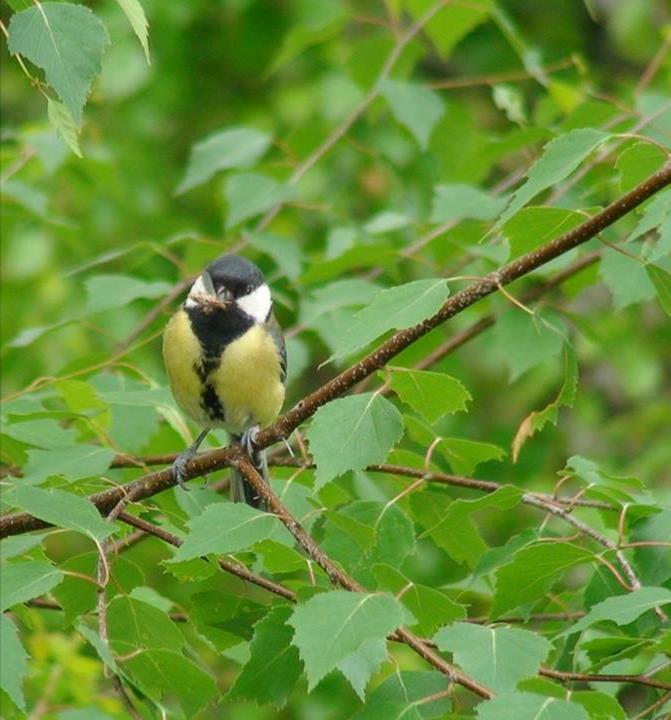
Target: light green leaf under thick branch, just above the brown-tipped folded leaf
523,341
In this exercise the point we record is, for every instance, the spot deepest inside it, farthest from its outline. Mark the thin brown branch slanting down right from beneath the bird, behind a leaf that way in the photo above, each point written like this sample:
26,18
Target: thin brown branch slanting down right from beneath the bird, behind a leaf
341,578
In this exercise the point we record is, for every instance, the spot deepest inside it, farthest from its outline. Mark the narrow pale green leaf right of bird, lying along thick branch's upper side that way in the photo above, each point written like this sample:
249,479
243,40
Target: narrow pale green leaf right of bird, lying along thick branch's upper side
394,309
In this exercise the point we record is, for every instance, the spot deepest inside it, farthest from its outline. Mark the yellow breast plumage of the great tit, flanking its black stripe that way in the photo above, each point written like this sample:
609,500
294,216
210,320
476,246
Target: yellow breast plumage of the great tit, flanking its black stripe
247,380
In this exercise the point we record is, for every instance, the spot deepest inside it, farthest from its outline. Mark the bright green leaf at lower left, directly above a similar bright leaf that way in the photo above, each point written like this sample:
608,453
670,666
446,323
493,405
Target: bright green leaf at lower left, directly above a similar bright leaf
136,625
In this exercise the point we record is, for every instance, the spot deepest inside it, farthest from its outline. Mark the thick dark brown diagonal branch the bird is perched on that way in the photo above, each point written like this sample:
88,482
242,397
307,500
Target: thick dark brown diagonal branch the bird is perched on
12,524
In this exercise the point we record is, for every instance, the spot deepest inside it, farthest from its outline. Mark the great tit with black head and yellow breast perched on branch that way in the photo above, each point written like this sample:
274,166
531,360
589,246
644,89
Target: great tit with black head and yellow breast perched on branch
226,360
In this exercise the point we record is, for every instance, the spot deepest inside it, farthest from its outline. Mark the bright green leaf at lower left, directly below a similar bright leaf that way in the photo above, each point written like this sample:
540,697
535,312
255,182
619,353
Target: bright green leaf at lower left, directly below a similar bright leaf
163,674
